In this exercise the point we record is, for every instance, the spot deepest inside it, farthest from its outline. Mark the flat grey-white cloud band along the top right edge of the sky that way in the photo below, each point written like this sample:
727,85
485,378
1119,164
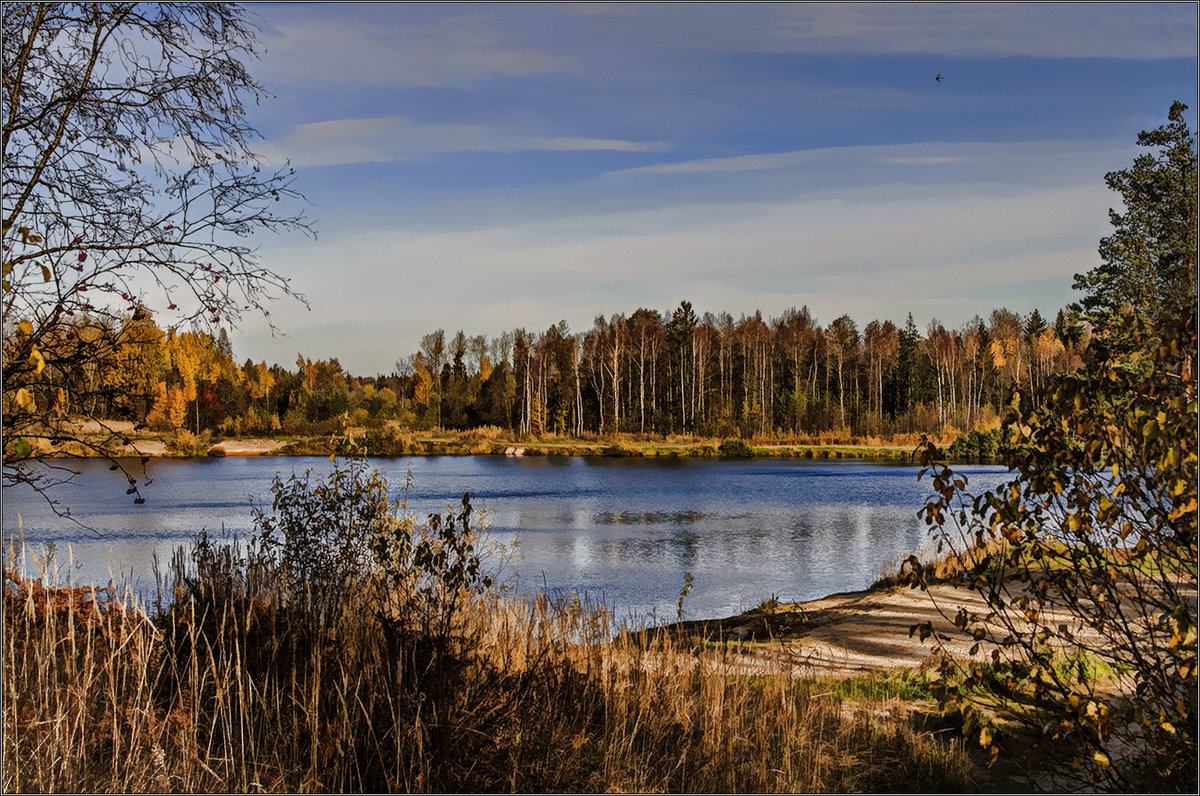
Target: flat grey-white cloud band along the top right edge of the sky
1132,31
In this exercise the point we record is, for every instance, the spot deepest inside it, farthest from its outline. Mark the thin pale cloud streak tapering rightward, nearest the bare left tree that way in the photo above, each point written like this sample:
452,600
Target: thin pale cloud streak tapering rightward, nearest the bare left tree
398,139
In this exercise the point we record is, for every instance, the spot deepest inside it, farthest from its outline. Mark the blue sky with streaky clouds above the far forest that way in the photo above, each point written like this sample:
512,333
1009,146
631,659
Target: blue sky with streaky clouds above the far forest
495,166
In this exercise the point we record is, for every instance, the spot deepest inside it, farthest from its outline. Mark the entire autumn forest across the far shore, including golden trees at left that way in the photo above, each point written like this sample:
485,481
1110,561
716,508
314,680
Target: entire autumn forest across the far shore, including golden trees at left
649,373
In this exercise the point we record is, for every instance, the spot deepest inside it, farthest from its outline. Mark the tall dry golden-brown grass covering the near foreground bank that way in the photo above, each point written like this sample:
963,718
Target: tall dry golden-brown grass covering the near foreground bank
232,689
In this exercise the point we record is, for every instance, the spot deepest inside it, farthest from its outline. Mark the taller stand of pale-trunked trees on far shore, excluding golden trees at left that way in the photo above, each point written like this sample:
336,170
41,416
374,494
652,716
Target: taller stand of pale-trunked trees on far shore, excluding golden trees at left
681,373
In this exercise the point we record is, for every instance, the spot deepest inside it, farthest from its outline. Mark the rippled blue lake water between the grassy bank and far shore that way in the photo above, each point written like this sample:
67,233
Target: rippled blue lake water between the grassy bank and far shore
620,530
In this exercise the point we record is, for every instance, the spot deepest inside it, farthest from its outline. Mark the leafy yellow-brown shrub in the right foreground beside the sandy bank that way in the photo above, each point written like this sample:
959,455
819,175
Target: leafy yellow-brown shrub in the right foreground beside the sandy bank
1100,522
